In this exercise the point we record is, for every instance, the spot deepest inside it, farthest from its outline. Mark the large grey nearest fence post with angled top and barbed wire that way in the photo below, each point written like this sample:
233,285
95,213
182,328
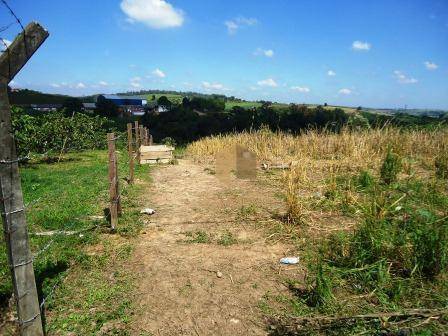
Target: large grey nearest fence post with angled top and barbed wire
12,208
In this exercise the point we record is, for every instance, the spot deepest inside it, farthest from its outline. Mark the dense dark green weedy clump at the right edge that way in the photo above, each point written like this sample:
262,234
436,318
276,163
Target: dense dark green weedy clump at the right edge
414,242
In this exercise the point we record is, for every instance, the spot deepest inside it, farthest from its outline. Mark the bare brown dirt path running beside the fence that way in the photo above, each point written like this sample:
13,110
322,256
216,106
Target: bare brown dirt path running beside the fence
202,267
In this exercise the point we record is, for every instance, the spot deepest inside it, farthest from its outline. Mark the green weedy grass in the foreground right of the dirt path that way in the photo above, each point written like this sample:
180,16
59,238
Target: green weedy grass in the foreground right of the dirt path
396,258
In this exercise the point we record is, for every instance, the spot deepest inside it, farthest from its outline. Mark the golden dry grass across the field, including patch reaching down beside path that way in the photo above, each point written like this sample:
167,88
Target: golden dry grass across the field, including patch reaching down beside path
319,157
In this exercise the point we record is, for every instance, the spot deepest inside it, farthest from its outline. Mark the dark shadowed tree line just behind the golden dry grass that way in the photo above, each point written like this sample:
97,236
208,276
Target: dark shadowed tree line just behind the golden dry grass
184,124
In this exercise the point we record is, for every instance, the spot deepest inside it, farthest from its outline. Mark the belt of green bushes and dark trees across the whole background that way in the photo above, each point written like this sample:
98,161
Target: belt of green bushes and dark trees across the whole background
193,118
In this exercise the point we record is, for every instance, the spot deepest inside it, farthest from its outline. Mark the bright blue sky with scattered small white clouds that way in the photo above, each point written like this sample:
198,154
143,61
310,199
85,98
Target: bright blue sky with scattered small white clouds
368,53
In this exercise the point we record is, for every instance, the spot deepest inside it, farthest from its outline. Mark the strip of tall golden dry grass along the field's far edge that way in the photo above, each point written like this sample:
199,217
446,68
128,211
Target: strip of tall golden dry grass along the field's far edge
348,149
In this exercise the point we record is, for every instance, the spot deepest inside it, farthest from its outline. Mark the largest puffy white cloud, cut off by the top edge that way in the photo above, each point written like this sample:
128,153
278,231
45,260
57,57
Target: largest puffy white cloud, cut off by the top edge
157,14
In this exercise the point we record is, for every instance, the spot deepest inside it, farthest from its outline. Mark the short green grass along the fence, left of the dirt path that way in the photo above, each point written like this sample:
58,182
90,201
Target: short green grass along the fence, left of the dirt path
63,196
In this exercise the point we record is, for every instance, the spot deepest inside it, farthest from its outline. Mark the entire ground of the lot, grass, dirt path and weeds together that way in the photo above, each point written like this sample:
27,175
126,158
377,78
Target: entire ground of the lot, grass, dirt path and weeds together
364,210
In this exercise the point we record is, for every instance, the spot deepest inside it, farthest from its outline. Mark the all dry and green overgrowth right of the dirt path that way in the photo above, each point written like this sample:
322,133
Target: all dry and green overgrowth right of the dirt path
370,208
